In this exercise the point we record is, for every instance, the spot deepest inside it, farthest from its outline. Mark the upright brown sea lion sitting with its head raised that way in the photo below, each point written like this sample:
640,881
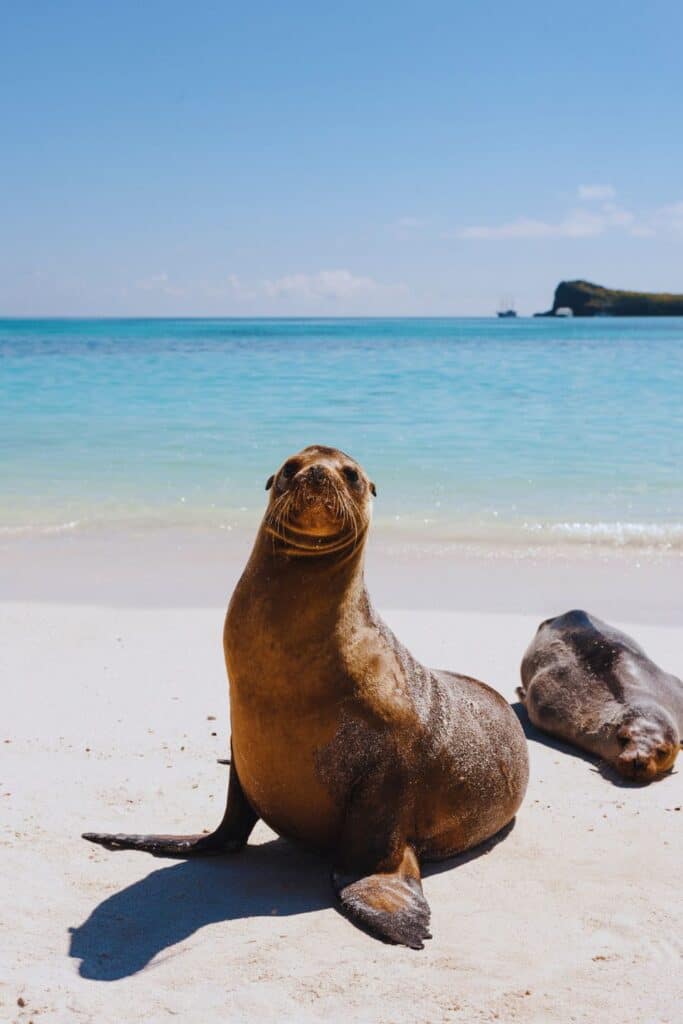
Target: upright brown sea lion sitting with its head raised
340,739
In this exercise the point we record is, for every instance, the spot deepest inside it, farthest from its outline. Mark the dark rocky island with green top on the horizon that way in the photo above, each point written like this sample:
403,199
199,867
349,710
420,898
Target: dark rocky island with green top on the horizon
585,300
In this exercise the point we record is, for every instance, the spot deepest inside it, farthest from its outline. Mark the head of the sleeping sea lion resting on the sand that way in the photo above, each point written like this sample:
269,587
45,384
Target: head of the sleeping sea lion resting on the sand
649,743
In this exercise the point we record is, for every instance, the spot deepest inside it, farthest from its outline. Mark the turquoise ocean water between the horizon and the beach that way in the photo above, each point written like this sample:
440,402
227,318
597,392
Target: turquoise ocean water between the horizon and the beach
527,432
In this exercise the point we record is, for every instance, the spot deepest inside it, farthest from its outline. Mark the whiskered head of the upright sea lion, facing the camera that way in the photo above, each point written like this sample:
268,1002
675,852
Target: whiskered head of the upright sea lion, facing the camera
321,501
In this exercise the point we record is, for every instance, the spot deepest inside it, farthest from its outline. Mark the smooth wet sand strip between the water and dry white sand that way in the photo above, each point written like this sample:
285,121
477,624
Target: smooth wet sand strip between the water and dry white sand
199,569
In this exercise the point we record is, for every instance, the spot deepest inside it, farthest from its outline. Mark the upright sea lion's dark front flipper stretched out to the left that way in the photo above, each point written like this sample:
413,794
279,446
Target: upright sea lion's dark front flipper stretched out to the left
231,835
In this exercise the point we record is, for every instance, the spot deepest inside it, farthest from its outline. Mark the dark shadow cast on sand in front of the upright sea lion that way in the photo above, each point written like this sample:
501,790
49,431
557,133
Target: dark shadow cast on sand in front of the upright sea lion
127,930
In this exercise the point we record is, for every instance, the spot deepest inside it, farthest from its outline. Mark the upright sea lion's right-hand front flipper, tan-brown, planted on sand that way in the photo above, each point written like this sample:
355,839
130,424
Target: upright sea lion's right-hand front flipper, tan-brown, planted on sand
389,905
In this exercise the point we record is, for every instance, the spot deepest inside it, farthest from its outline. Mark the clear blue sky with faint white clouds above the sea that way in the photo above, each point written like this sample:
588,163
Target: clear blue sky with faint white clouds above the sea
318,159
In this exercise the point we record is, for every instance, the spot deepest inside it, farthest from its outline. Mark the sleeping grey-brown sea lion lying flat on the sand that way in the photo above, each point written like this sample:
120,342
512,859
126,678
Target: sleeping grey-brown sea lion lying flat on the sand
594,687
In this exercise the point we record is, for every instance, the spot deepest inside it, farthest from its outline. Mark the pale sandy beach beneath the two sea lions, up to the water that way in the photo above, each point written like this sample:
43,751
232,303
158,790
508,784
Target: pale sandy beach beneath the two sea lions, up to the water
114,715
